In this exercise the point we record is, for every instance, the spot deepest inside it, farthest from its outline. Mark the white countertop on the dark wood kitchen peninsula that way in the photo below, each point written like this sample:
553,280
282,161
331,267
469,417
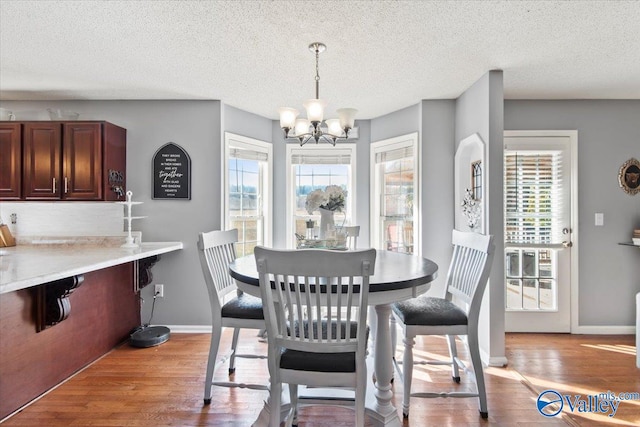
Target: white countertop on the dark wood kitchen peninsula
24,266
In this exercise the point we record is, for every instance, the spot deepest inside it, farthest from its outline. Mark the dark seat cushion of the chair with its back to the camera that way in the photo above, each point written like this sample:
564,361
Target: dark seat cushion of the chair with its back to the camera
320,362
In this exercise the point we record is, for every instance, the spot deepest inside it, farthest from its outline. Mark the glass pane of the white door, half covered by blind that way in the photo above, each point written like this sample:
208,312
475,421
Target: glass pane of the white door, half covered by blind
533,217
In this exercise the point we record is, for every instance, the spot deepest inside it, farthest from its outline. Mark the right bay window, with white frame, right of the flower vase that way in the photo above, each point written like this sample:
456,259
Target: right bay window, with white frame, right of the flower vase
394,195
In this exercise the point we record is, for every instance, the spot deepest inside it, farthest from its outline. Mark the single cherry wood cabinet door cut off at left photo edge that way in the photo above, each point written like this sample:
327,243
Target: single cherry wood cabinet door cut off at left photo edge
10,161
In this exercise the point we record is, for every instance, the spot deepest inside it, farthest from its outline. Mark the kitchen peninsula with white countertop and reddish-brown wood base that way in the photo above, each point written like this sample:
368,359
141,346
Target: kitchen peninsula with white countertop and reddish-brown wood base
95,284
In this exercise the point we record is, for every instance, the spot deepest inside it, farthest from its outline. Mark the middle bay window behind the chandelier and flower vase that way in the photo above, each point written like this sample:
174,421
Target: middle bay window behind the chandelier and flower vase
316,167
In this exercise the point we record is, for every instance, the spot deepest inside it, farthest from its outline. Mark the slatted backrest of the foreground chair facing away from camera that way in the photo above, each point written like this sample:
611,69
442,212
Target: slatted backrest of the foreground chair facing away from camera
317,299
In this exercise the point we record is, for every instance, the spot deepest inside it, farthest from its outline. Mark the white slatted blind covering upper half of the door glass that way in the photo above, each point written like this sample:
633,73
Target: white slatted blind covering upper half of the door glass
533,197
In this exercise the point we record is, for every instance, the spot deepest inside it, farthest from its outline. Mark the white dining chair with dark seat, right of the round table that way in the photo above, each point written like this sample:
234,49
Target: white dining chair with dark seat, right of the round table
454,314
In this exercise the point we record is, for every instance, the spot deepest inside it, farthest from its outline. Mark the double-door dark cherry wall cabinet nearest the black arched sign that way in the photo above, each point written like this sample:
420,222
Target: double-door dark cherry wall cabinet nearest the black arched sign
72,161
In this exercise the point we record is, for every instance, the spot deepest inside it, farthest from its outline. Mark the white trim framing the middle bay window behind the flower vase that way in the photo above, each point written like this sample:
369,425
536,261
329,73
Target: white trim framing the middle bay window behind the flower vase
319,149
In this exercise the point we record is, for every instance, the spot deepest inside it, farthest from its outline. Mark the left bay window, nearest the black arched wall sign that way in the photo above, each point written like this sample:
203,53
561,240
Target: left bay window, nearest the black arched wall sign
247,190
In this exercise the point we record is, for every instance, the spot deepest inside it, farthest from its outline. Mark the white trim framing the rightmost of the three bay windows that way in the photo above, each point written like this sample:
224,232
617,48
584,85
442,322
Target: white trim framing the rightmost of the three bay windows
385,145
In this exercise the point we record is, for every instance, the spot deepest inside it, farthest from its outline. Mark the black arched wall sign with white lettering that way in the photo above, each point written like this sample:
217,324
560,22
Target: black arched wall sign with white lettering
171,173
